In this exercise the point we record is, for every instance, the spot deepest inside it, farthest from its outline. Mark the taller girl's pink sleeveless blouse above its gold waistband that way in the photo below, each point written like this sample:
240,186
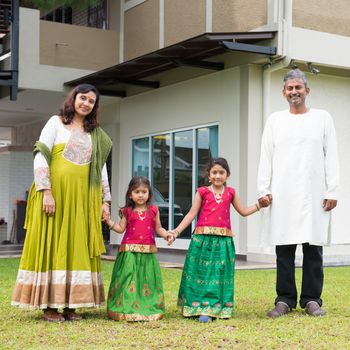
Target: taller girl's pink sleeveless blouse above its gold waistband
212,213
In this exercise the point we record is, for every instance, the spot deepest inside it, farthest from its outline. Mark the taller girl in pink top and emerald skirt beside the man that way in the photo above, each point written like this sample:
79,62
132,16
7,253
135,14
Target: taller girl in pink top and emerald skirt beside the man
206,288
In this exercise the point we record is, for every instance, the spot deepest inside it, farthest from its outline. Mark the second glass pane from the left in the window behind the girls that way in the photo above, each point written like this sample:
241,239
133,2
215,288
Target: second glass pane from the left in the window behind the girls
160,175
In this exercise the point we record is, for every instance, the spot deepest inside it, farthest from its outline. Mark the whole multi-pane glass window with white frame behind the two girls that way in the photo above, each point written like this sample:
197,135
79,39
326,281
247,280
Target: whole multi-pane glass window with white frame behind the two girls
178,162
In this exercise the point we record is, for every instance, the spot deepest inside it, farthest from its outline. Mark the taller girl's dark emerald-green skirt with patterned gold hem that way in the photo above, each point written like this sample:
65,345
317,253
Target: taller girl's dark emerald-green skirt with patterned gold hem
208,277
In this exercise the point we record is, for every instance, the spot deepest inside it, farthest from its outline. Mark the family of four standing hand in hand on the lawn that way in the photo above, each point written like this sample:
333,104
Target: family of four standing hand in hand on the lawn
60,266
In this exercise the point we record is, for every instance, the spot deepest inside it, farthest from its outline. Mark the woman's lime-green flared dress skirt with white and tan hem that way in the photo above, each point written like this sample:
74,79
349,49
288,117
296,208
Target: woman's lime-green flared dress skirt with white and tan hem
56,269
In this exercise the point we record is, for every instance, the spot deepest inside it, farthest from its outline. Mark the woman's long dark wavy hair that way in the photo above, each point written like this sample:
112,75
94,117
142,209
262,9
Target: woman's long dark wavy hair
67,110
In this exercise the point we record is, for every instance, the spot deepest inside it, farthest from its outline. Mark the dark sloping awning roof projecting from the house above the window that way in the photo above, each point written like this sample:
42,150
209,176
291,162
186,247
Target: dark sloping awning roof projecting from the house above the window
193,52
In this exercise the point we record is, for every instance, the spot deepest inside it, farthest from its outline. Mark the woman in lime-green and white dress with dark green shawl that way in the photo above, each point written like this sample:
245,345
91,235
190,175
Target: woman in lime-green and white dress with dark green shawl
60,265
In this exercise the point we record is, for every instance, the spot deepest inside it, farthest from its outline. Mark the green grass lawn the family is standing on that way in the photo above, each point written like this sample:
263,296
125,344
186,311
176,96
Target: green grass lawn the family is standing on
248,329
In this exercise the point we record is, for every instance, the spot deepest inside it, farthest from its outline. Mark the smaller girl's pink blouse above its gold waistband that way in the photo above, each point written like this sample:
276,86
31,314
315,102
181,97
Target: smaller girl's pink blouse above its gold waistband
140,231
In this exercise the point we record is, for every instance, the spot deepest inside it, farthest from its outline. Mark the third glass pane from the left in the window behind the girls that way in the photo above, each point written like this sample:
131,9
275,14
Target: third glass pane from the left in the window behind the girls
183,163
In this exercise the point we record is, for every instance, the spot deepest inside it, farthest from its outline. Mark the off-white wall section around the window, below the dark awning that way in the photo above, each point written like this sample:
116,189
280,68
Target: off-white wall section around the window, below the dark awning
207,99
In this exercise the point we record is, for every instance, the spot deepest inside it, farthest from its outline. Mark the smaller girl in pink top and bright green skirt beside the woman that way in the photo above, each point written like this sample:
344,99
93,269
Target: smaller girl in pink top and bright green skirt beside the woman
136,289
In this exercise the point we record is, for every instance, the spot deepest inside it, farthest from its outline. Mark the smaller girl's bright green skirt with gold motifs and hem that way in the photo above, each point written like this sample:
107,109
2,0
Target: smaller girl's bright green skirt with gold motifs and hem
136,289
